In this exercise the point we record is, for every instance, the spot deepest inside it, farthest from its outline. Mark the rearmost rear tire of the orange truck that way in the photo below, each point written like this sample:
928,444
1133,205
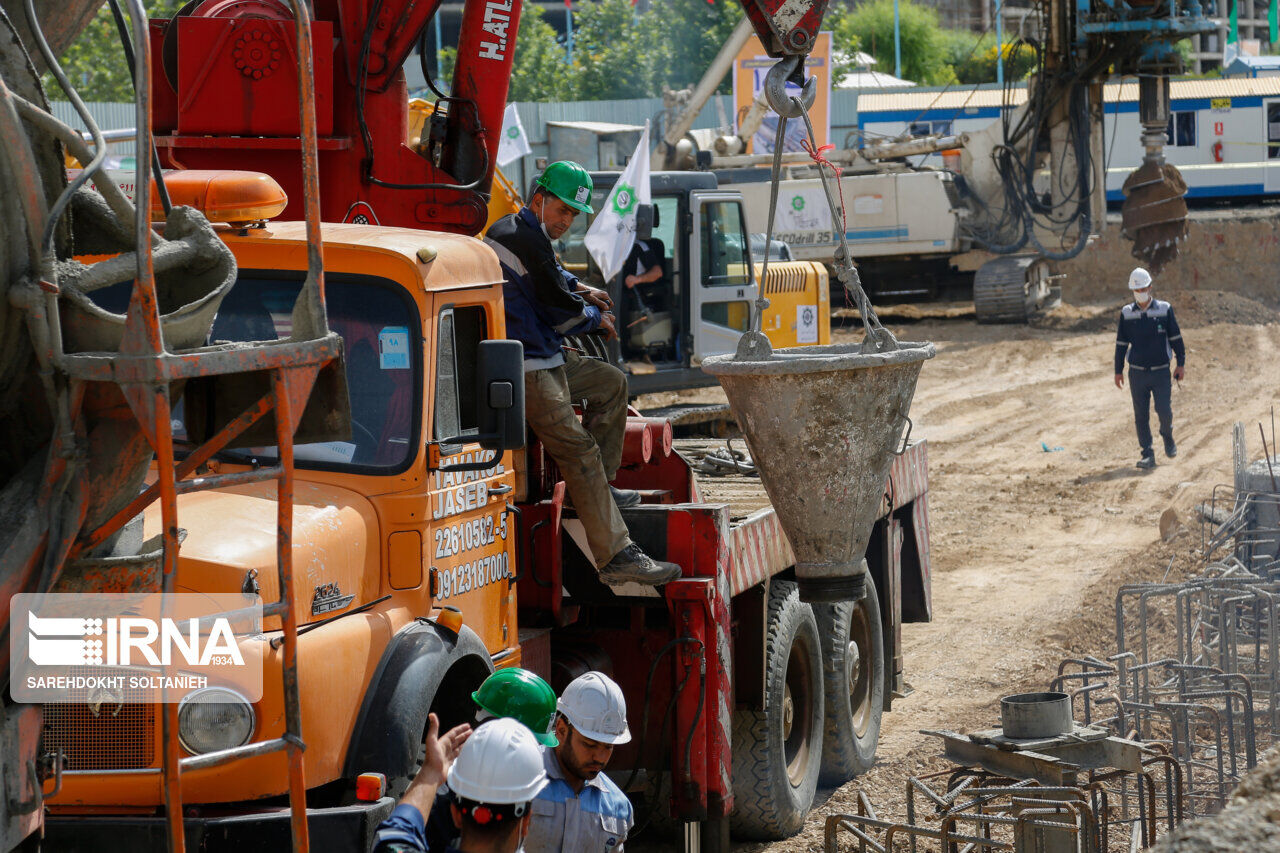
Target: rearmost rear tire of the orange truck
853,658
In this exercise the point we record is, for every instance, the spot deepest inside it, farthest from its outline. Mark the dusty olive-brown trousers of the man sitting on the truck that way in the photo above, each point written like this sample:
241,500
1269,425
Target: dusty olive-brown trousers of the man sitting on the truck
589,451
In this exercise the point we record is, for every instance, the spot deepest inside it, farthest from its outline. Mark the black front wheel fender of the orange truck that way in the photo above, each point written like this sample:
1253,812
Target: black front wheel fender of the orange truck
412,673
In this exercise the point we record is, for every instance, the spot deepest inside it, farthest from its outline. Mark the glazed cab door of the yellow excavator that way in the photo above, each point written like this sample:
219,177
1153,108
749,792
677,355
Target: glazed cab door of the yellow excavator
723,281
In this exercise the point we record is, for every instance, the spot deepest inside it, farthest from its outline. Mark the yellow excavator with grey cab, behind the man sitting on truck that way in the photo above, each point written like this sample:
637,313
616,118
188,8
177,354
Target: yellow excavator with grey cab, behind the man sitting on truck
685,320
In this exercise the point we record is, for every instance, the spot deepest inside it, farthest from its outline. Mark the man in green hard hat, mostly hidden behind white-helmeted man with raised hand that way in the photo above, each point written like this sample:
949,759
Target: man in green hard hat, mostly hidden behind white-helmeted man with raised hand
511,692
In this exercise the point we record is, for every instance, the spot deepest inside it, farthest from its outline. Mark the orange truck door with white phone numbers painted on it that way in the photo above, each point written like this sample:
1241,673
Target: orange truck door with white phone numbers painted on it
470,548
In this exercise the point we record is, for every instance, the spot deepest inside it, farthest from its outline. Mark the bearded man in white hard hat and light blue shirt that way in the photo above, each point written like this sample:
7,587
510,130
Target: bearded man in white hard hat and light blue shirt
580,810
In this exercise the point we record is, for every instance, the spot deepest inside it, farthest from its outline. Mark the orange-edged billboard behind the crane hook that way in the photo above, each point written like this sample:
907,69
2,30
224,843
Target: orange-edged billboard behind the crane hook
749,70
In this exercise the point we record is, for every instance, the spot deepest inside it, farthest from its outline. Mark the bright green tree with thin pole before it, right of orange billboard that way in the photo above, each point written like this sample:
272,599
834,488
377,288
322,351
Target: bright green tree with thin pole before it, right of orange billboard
922,43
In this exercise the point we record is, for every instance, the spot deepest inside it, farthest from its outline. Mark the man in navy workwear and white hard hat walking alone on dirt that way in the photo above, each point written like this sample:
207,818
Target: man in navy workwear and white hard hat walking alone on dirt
1149,334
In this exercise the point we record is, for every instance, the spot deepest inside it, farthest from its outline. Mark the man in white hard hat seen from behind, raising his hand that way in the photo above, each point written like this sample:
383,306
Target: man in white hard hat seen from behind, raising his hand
495,777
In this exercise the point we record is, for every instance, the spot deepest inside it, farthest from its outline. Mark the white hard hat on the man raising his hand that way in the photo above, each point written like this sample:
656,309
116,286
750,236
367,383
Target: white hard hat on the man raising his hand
501,764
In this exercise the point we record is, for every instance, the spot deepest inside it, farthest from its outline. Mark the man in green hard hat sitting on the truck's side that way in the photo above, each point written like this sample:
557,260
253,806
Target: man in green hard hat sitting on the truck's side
545,303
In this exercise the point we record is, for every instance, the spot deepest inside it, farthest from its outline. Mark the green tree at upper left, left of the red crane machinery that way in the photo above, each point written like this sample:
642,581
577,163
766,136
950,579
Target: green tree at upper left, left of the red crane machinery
95,62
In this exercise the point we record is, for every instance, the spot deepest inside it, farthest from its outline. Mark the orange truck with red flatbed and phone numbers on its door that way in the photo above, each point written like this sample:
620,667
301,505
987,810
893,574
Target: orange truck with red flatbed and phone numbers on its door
423,562
